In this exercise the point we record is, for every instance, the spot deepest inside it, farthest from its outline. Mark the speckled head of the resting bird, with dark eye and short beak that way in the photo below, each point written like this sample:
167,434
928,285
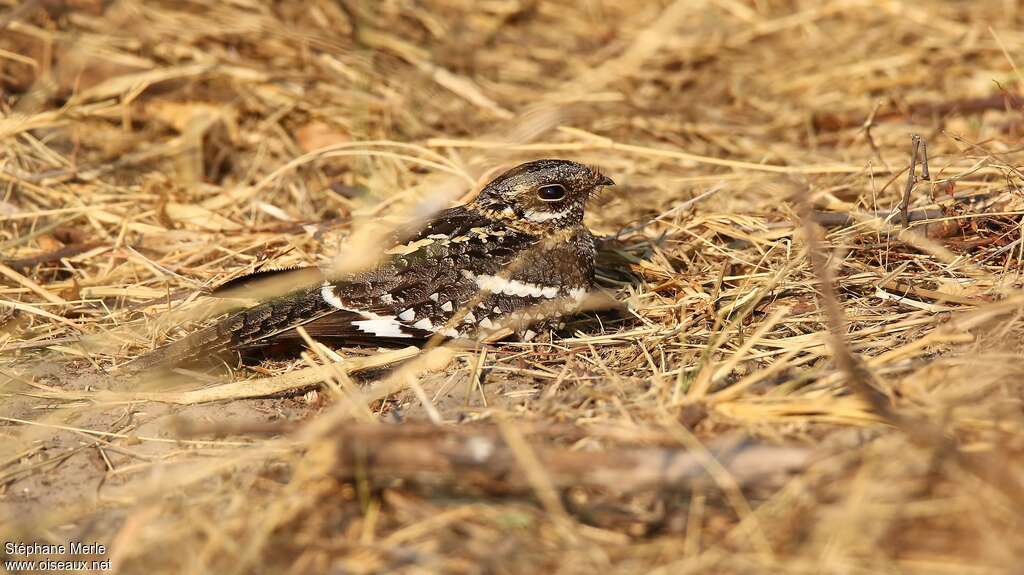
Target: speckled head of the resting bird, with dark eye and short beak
544,194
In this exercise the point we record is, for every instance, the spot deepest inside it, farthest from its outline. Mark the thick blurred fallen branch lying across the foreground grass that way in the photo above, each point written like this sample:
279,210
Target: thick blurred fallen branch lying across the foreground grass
480,457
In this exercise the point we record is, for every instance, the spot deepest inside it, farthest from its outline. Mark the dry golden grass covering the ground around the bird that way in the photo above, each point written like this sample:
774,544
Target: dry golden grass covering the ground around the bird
151,151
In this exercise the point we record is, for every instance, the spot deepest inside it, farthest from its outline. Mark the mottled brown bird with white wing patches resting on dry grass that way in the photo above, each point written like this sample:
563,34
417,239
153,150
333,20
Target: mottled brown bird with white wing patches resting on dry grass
518,257
